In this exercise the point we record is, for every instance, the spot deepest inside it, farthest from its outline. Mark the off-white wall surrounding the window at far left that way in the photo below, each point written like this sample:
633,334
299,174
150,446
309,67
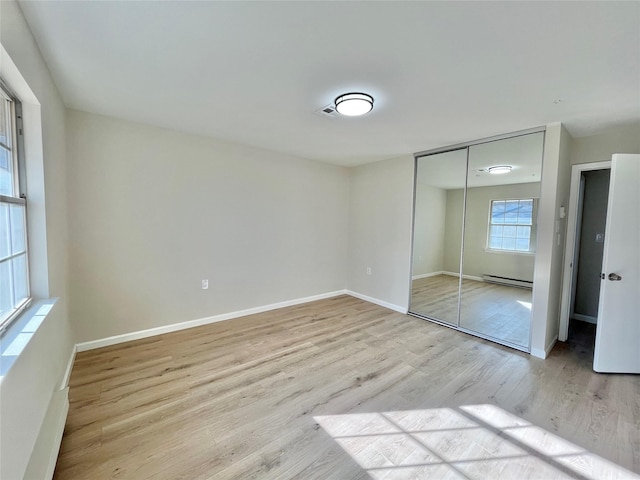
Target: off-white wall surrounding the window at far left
26,390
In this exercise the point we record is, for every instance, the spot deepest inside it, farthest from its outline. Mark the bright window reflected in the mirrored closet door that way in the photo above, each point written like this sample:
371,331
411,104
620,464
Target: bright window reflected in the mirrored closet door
511,225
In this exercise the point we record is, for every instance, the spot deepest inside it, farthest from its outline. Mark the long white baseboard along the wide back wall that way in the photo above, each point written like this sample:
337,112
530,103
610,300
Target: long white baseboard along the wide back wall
127,337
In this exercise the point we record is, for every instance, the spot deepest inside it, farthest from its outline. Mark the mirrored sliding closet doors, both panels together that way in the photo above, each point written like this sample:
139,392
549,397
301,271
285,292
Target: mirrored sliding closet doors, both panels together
475,236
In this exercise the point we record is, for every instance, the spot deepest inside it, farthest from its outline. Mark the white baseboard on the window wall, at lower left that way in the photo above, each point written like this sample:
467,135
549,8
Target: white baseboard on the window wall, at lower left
44,456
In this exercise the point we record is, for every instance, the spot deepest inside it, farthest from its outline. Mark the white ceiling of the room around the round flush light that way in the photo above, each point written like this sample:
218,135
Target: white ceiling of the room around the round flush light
255,72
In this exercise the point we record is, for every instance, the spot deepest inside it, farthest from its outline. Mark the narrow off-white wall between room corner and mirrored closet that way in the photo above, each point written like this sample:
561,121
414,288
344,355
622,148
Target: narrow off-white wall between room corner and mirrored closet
380,213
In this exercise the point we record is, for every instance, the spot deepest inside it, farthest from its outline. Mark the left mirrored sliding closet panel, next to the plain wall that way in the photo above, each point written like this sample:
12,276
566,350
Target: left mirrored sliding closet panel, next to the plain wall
436,269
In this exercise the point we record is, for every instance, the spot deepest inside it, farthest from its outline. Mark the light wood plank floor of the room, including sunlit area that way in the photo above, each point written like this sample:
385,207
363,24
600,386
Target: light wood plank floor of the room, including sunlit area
343,389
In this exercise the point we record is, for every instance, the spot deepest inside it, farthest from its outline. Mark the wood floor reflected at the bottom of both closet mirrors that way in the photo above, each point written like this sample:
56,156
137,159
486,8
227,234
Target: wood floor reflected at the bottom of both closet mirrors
499,311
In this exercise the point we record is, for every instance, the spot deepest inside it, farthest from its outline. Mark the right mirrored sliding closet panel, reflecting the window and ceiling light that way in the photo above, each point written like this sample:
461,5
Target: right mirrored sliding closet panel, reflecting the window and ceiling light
500,238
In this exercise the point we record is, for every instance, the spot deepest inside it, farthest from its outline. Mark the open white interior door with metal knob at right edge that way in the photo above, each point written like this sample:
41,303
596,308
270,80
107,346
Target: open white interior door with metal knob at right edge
618,331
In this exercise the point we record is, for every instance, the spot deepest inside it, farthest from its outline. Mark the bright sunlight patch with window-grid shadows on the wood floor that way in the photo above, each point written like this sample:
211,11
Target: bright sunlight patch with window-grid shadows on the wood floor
468,442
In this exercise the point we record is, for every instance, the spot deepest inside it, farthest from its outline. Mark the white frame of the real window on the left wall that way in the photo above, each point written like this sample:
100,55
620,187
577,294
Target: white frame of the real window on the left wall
18,198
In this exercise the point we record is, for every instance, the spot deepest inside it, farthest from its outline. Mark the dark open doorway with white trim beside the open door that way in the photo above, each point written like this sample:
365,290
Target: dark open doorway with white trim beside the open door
584,252
